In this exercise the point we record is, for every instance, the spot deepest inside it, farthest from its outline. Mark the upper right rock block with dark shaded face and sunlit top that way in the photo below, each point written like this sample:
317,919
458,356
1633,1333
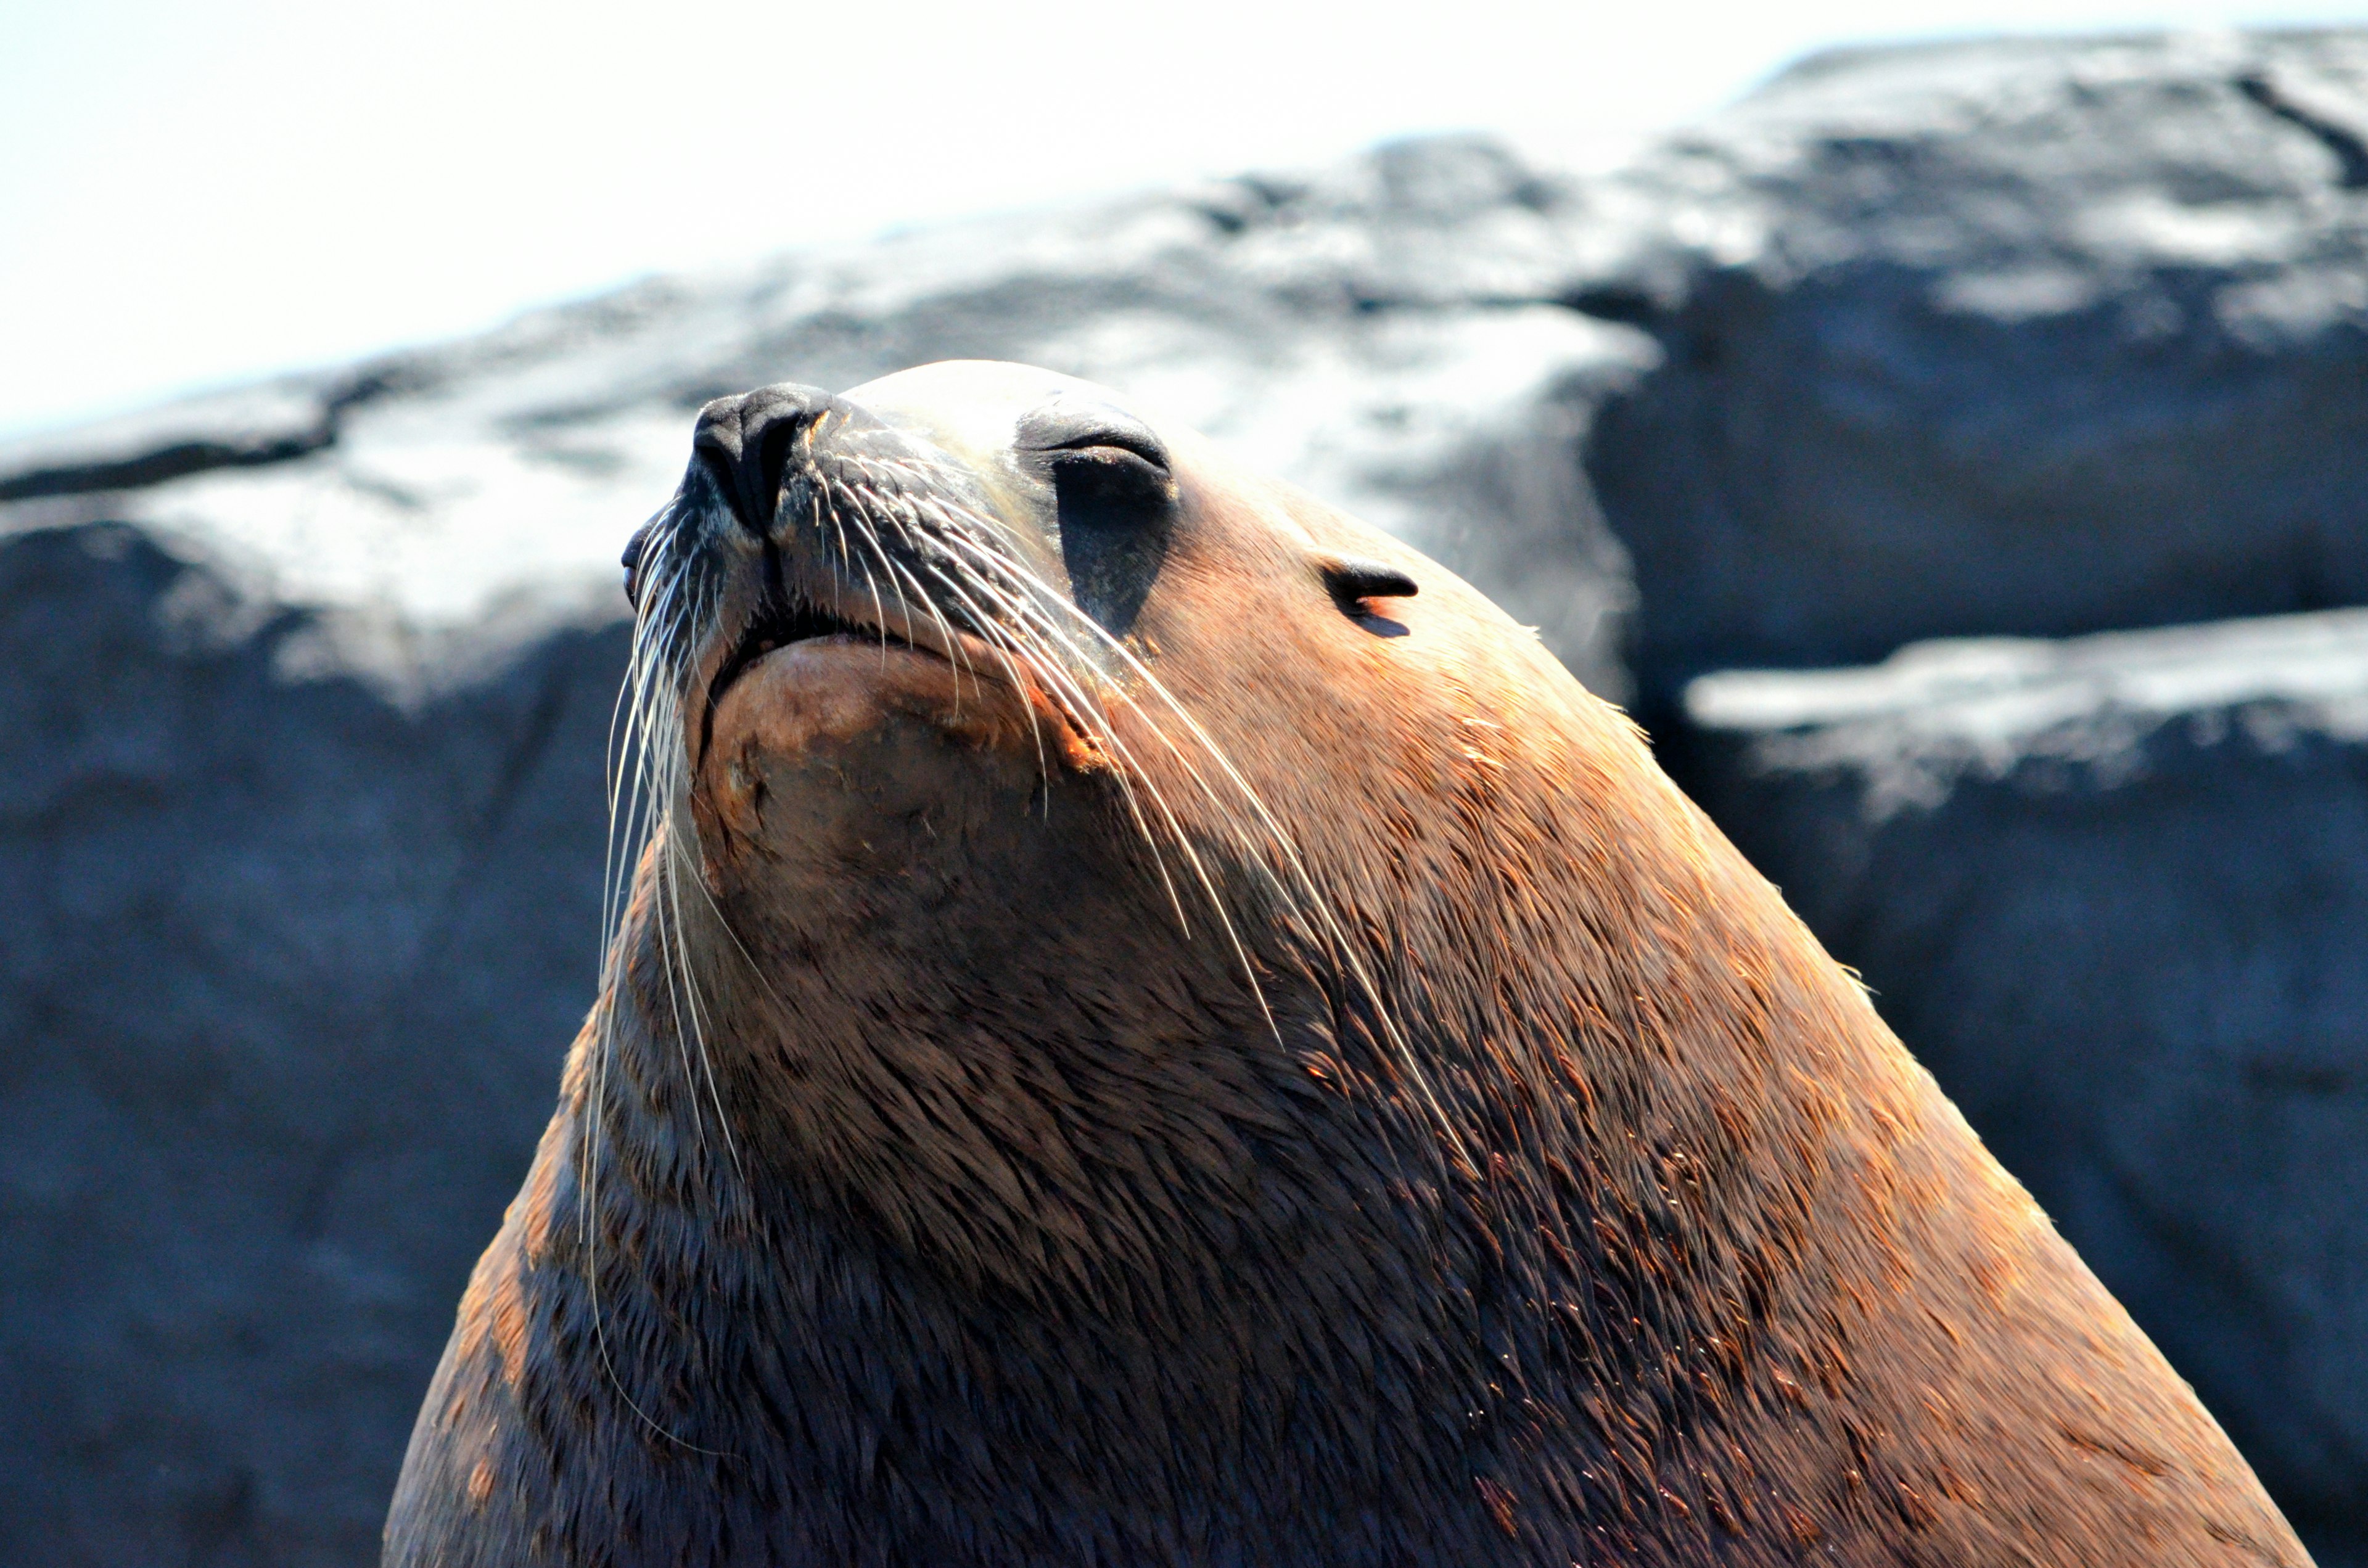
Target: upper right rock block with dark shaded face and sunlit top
2016,338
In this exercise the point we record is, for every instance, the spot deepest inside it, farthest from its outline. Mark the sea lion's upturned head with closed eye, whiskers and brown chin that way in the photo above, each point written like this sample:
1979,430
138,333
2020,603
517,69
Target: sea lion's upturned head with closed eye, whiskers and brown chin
1045,799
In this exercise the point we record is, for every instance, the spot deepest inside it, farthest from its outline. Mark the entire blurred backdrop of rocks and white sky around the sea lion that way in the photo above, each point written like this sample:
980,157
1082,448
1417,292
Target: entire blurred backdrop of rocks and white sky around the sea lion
1950,444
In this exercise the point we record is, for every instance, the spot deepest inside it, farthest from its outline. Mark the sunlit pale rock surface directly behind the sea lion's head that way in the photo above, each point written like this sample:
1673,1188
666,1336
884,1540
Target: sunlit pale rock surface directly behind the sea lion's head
1384,335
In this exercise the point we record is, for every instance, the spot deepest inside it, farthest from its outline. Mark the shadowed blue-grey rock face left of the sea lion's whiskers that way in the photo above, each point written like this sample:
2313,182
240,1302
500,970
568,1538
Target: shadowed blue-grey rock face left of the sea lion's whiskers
288,977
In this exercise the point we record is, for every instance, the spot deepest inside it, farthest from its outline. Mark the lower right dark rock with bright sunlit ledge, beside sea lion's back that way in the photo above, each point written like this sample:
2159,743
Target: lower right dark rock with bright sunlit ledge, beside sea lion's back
2116,894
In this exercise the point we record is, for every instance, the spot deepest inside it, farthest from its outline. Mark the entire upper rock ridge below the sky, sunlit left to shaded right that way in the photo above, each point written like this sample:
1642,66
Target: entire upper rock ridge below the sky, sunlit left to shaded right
2026,338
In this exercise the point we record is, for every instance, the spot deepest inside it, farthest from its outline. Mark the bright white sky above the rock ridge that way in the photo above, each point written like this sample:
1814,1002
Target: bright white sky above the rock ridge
195,193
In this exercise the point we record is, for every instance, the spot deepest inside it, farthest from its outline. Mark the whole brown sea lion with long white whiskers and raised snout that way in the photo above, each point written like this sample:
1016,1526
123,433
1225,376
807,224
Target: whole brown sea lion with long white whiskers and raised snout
1157,1027
